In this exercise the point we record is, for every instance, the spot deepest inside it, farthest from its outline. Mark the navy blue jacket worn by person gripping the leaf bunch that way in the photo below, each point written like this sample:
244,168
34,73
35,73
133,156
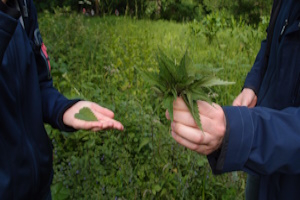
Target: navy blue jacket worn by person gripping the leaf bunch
265,140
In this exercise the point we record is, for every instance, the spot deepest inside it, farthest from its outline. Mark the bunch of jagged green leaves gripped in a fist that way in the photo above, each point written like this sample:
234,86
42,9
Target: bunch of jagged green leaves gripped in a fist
189,81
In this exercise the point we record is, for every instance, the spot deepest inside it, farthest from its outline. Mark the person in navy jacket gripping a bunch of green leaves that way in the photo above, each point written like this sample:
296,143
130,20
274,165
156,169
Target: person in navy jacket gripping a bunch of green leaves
260,133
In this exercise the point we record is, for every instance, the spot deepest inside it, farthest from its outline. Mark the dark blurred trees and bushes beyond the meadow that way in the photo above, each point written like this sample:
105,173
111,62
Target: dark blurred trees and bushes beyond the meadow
177,10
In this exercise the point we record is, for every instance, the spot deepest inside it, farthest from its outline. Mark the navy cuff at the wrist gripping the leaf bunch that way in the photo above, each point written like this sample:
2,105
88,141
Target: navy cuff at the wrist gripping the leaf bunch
237,142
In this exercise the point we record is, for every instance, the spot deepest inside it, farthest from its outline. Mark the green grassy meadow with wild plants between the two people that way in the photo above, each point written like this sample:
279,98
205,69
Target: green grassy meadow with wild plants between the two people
95,59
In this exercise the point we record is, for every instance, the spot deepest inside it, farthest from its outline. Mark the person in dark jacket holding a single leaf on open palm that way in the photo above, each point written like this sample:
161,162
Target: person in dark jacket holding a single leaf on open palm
28,100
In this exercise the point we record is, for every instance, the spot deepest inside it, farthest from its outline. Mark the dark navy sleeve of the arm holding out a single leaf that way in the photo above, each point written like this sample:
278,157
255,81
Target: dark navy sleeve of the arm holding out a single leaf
54,104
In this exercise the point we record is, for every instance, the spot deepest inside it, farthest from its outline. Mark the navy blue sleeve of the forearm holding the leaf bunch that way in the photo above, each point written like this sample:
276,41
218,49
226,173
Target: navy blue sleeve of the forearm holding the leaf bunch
261,141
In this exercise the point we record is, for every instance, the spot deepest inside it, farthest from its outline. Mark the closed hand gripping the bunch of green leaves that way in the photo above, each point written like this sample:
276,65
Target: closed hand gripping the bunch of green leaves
186,132
